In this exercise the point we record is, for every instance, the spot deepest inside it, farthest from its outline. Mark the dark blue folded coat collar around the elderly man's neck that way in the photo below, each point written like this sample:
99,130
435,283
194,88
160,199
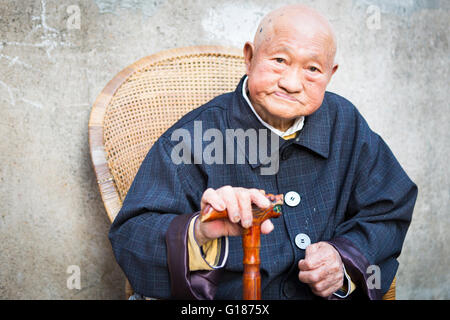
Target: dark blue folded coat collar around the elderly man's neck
314,136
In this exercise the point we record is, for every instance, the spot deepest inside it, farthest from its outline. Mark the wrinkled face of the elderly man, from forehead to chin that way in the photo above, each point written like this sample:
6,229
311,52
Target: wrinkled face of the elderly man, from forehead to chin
288,72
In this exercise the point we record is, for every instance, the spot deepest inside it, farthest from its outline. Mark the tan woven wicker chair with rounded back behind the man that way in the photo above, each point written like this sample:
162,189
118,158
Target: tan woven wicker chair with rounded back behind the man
143,101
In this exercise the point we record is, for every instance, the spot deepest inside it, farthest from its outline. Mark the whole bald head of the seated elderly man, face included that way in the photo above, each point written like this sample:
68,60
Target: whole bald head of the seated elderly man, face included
289,64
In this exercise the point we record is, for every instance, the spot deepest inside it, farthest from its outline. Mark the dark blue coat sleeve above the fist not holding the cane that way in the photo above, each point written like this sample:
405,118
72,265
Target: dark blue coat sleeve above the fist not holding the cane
378,215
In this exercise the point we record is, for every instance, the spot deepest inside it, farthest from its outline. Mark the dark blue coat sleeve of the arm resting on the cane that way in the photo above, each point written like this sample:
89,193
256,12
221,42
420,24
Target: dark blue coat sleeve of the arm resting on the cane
161,201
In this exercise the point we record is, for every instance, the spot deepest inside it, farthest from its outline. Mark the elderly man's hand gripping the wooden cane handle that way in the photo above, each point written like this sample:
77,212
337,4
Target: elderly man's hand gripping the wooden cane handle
238,203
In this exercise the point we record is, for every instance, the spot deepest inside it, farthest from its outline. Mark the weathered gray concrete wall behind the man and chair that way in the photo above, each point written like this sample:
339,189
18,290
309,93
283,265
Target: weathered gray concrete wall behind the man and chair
394,66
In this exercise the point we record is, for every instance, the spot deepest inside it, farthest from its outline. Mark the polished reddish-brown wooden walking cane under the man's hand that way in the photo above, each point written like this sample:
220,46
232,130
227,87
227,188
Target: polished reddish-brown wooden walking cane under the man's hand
251,242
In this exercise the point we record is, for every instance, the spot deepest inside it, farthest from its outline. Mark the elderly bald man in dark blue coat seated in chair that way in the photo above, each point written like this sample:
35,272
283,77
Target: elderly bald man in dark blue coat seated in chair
348,201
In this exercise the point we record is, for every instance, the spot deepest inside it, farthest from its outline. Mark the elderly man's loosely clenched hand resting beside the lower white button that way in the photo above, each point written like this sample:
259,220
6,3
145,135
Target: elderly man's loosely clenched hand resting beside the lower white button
322,269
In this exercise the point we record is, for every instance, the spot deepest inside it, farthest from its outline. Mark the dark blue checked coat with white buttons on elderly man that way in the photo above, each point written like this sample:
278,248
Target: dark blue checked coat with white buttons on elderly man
354,194
